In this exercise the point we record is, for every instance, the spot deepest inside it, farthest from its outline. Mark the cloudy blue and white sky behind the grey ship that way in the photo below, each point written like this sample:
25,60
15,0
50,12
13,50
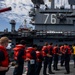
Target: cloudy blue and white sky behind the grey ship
19,12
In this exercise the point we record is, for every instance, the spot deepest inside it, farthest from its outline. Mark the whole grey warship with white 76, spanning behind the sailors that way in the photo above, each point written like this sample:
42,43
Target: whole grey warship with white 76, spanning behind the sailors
56,25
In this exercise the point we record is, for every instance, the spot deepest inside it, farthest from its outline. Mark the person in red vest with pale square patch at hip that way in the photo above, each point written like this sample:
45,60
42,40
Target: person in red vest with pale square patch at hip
31,58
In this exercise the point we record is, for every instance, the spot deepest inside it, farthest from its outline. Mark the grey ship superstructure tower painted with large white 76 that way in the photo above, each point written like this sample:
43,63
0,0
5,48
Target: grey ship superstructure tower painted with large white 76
55,25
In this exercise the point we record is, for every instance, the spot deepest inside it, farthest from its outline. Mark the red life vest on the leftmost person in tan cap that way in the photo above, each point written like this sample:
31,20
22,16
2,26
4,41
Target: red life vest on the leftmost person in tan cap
5,62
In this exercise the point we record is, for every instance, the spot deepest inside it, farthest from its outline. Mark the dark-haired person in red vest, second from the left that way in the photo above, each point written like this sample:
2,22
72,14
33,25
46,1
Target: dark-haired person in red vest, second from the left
19,57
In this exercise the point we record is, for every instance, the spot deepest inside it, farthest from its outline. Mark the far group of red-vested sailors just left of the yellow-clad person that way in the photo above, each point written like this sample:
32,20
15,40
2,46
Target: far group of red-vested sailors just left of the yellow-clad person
51,53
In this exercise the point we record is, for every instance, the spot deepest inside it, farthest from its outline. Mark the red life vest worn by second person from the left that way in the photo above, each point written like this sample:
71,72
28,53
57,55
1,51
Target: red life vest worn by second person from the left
17,49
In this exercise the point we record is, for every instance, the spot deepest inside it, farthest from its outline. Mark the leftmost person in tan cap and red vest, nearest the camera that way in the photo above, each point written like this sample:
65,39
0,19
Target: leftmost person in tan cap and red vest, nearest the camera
4,58
